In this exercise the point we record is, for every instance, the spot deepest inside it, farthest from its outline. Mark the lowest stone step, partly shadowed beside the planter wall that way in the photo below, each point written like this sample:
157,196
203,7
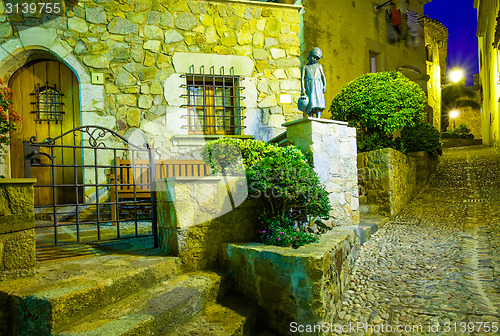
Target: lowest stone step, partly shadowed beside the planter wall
234,315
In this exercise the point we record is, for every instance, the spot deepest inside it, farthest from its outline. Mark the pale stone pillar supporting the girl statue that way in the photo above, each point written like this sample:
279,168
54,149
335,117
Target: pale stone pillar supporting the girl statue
332,145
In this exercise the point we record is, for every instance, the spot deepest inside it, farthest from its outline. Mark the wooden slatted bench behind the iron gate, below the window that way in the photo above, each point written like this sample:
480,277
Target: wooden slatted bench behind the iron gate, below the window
132,181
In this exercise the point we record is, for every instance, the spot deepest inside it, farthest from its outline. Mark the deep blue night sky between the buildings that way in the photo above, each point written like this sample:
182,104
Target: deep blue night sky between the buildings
460,17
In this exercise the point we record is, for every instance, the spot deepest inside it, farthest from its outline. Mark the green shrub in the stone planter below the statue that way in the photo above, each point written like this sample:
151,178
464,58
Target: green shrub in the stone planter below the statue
282,178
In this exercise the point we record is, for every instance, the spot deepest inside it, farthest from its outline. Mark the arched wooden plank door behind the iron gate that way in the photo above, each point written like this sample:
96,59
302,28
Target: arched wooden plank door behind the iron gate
23,83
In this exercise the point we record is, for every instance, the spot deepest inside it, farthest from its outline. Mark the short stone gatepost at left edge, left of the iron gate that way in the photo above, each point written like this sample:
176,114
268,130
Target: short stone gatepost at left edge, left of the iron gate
17,228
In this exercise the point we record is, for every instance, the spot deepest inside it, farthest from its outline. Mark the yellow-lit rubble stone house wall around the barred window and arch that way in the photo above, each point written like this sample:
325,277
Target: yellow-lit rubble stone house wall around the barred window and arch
141,48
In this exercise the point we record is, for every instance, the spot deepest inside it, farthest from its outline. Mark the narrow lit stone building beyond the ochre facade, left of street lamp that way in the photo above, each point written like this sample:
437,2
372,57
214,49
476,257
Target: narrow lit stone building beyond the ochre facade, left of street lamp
436,49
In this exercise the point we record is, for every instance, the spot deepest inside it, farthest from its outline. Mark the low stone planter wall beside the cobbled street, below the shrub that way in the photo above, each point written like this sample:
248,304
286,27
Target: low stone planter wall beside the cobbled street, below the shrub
301,285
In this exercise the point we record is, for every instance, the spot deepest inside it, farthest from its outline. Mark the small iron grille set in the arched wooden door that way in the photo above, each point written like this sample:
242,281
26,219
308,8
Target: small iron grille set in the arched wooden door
47,103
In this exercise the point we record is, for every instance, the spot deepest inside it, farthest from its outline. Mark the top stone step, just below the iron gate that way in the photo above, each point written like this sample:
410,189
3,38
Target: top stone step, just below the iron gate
62,292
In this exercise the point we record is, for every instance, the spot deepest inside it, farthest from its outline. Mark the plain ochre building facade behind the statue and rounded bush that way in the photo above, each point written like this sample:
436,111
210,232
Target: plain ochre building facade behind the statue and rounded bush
354,38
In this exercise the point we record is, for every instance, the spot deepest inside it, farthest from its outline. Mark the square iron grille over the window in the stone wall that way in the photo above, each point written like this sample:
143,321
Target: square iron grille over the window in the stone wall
213,102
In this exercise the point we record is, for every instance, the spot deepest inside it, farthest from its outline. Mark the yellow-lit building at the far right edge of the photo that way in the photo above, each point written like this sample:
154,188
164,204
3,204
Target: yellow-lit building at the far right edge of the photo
488,32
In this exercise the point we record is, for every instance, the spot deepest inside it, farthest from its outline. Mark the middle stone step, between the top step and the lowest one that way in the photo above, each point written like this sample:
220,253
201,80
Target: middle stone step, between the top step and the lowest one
151,311
